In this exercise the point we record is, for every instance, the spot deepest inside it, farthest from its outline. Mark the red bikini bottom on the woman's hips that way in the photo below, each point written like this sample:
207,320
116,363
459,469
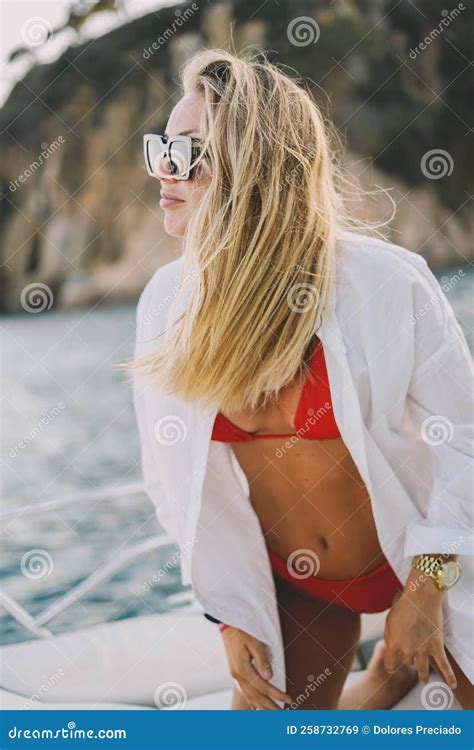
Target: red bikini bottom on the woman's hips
372,592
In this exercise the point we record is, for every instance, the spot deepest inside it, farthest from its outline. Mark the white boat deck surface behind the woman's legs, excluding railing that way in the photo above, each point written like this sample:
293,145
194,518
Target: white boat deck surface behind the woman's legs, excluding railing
166,661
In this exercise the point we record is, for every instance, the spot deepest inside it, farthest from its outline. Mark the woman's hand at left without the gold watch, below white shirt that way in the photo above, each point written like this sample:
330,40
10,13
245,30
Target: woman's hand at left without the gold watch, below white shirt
253,678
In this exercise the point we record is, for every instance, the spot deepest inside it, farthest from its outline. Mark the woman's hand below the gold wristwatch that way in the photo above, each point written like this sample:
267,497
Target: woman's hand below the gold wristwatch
414,630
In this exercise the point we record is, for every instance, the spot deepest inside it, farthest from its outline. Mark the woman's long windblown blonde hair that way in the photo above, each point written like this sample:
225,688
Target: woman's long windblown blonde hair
263,239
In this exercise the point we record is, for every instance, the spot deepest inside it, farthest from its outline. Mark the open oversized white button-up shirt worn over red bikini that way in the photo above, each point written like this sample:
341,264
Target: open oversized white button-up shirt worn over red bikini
400,374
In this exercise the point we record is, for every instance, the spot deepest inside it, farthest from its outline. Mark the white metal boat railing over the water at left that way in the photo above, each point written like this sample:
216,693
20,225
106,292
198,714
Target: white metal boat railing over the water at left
36,625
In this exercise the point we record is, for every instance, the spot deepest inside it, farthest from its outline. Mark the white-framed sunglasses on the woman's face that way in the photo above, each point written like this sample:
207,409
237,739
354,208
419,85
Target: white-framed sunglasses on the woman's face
171,156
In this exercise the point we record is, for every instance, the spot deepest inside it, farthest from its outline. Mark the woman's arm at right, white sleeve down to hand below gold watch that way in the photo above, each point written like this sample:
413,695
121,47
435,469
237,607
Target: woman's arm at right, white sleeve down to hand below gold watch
439,401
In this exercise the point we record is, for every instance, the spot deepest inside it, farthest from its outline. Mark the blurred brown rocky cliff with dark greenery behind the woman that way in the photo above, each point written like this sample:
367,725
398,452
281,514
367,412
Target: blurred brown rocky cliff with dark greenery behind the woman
79,212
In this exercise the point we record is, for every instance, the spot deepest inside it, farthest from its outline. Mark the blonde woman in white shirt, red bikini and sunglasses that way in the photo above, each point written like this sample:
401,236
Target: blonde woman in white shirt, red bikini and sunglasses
249,182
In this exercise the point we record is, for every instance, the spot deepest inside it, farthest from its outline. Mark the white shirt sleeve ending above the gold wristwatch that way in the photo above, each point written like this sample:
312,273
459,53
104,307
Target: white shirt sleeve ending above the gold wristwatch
441,406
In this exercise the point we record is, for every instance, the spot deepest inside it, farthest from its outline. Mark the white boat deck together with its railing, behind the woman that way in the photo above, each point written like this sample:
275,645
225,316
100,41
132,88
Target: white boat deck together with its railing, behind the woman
159,661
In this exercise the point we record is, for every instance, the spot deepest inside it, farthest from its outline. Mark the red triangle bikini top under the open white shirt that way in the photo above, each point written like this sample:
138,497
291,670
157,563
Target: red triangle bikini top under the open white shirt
314,418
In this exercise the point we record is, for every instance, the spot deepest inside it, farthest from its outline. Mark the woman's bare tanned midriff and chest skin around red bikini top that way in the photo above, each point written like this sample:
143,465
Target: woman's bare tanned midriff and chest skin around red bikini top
307,494
